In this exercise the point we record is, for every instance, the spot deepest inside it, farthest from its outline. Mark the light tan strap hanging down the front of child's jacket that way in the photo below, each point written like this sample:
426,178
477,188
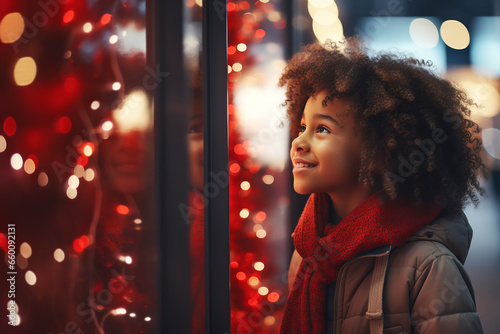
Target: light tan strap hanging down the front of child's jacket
374,313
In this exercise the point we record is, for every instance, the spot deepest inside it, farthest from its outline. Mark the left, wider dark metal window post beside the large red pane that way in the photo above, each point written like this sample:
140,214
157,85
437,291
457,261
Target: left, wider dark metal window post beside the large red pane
165,55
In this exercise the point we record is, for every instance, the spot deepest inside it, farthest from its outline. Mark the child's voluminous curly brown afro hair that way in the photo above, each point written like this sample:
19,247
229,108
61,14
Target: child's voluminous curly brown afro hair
417,140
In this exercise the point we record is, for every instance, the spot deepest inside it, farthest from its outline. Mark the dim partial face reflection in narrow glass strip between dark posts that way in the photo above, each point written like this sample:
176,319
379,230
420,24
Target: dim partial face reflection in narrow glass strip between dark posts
195,146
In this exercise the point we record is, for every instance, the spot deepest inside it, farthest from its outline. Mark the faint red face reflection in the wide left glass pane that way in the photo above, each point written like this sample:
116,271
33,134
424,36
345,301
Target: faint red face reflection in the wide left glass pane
123,159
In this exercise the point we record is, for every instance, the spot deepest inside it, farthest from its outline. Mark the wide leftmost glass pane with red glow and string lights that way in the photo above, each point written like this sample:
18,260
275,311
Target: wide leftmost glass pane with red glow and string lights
77,164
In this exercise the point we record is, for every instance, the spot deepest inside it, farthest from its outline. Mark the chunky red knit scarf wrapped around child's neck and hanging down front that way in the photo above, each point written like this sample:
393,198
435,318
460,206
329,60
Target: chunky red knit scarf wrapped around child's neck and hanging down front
368,226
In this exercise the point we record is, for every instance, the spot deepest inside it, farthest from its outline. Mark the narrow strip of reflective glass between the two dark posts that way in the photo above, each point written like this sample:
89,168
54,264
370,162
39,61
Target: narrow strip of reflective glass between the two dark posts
192,58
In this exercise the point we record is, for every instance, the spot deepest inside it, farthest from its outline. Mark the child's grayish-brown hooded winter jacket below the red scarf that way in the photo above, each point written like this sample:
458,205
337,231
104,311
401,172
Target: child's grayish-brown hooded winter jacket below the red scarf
424,285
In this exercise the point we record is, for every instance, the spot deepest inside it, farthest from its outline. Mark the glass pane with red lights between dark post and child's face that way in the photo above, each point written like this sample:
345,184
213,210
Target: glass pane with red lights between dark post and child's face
258,151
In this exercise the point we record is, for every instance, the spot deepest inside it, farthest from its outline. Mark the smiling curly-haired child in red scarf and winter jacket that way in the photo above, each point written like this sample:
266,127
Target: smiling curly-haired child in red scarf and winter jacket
390,158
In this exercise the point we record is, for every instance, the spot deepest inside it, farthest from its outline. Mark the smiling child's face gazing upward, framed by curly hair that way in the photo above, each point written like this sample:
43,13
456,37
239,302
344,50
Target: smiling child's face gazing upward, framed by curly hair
328,144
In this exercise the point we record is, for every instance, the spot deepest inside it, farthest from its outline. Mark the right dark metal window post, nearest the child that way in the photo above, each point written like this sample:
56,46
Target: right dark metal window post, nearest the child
215,99
